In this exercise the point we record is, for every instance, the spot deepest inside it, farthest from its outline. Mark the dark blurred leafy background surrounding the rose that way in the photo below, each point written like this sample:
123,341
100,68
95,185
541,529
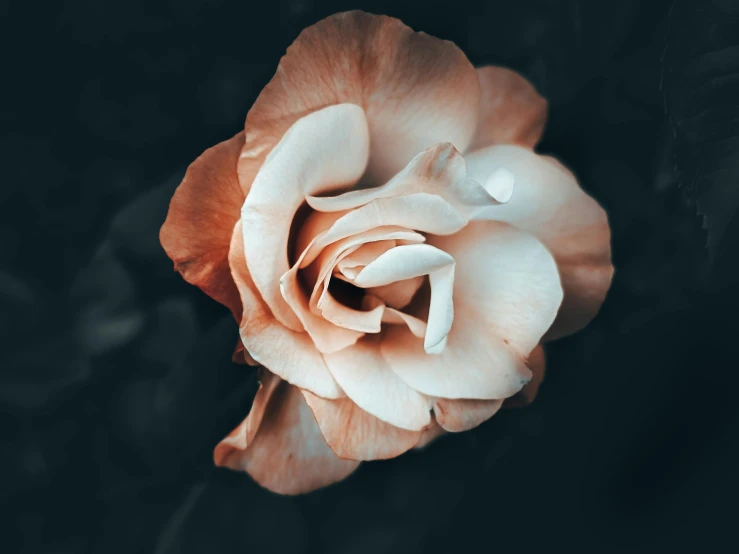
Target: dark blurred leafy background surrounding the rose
116,380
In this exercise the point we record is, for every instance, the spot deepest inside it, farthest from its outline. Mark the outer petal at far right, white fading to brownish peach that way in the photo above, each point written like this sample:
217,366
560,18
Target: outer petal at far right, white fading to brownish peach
549,204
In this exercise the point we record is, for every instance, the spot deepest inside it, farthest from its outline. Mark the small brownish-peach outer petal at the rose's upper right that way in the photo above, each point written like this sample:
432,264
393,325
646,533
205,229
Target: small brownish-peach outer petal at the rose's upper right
511,111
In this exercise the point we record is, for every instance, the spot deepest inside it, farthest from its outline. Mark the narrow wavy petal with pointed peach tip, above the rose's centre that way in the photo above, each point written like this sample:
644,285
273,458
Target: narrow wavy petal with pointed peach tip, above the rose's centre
439,170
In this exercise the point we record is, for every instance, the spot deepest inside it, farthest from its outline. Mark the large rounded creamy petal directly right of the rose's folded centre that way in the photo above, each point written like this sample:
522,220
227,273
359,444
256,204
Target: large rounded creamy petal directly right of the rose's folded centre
506,294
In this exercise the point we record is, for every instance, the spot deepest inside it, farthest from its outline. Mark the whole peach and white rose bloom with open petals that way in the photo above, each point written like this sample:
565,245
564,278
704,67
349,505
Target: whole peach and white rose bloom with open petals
391,245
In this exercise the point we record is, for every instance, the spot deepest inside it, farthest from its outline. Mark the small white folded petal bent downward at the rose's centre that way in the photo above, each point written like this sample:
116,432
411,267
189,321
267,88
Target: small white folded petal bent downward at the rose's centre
413,260
